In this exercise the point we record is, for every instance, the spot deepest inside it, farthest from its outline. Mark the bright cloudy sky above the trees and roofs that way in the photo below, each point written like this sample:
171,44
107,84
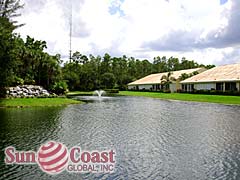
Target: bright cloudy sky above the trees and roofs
207,31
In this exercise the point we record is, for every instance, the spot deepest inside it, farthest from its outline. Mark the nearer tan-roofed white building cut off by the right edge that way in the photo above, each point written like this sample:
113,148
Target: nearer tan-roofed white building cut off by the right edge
221,78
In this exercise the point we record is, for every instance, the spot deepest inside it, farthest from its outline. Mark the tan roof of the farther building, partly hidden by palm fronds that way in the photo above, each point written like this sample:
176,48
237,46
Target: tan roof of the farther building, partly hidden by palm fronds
156,78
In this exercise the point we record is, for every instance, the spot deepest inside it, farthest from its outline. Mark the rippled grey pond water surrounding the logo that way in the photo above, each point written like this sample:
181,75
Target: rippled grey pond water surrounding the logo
153,139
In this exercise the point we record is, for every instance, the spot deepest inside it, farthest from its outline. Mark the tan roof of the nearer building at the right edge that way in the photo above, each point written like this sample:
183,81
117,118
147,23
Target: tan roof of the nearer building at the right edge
217,74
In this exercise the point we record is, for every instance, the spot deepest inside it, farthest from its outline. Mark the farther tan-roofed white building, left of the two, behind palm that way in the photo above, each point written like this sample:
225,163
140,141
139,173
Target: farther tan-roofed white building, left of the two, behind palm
153,82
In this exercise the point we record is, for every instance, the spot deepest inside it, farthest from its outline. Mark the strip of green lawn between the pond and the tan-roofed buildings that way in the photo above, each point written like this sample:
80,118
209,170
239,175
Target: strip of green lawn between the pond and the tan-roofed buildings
187,97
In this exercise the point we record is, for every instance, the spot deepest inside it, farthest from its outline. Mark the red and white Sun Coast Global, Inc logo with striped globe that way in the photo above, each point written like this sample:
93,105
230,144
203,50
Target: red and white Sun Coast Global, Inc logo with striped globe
54,157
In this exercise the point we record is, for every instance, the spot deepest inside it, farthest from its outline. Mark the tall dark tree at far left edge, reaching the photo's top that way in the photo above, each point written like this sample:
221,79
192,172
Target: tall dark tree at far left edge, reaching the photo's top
8,9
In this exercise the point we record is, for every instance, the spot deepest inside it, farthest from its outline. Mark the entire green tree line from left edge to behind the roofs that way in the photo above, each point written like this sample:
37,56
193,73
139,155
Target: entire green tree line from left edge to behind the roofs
25,61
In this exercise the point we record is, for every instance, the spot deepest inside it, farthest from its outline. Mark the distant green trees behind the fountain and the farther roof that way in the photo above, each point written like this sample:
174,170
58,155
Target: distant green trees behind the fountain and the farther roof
89,73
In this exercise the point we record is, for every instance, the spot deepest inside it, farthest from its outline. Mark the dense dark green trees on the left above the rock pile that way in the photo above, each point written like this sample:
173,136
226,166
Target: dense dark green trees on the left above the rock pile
23,61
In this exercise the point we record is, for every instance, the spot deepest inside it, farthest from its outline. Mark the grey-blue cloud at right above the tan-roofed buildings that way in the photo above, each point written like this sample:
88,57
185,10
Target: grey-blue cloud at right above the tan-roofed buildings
223,33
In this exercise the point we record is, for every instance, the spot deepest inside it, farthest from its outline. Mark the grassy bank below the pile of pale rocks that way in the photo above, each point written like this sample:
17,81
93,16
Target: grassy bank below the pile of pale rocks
35,102
